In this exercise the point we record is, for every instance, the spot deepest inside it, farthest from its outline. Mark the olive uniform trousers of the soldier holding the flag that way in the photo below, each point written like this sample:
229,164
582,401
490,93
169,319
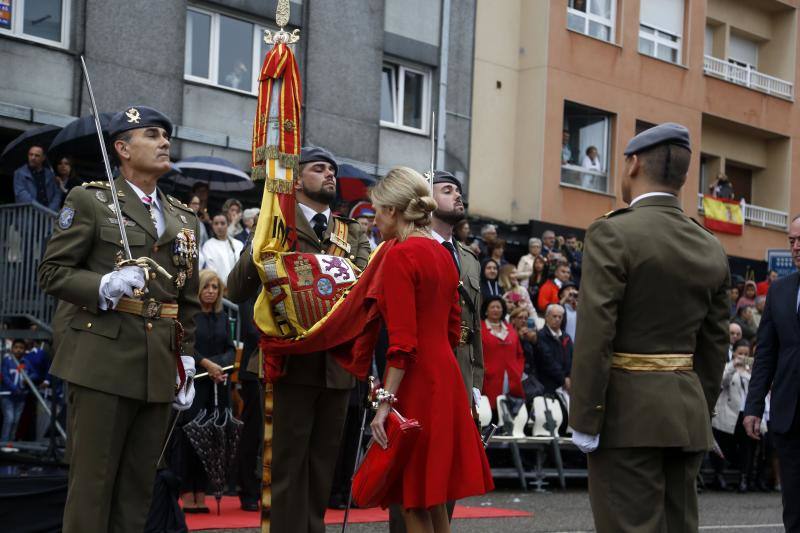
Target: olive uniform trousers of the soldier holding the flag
307,431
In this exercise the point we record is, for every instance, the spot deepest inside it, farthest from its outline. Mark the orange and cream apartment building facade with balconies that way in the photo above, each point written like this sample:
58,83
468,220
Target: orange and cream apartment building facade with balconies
554,78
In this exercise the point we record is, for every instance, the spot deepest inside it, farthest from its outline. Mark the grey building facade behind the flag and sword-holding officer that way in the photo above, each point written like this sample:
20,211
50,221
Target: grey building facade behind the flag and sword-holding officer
372,70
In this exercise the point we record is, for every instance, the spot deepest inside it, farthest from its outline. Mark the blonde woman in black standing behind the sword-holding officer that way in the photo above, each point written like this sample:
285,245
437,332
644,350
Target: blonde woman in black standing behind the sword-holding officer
214,350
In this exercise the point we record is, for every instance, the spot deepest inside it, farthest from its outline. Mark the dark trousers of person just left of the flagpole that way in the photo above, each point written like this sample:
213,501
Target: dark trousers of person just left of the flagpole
249,461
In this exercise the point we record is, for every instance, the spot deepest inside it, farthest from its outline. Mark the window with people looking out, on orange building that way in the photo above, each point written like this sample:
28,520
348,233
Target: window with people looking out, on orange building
585,147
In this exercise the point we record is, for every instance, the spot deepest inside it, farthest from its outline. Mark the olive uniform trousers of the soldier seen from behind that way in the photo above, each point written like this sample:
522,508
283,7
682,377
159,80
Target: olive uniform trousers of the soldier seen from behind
644,490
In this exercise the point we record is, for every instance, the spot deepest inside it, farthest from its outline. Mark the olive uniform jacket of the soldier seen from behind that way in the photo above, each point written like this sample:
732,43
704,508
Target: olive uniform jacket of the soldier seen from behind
654,282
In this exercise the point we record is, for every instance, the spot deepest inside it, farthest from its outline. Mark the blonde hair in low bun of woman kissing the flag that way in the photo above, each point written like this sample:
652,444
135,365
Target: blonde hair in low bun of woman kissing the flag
409,193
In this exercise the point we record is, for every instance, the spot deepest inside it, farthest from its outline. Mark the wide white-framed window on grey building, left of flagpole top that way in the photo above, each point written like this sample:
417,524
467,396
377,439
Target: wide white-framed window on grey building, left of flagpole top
220,51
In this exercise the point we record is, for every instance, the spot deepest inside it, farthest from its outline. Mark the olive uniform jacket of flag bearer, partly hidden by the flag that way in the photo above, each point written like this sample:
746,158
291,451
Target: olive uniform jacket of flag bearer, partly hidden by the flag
319,369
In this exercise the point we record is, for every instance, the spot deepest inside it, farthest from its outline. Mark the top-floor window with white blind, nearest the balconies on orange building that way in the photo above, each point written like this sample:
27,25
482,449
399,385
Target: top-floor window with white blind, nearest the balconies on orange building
660,29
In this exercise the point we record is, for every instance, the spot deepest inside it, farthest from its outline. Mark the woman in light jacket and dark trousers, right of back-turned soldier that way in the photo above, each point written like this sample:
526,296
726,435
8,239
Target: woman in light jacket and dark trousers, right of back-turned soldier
727,425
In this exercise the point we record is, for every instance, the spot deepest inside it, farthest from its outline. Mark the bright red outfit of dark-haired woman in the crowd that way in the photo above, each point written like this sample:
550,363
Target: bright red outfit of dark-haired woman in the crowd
501,356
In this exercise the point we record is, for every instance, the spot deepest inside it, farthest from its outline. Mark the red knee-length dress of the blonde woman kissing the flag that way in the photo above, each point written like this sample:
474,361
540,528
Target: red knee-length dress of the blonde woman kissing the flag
419,304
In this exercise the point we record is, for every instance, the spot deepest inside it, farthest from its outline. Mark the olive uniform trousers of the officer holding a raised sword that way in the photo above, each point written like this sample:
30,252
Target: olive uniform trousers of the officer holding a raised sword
114,443
